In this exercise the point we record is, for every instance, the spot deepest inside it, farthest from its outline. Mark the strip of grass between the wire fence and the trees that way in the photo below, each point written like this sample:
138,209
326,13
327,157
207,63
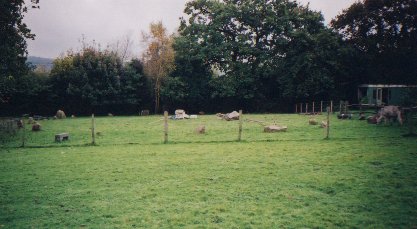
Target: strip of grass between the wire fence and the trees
151,130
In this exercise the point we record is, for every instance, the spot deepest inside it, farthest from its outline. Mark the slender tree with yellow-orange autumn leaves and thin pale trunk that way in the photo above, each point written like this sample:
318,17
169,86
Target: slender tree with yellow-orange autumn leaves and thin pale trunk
158,58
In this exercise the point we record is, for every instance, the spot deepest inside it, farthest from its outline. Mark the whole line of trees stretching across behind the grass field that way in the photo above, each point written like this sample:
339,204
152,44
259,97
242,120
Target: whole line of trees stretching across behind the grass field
260,56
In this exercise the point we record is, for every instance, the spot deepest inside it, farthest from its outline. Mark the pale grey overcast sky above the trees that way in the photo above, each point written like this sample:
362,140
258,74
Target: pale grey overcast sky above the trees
60,24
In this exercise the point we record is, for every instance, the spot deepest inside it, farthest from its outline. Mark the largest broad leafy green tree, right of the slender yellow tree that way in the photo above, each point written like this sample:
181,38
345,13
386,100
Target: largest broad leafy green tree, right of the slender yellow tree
265,51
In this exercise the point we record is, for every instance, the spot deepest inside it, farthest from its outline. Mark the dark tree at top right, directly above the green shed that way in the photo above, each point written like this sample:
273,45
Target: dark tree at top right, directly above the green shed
384,34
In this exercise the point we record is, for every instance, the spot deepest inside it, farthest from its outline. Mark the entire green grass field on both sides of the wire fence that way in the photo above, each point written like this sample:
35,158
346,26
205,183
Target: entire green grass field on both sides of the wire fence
365,176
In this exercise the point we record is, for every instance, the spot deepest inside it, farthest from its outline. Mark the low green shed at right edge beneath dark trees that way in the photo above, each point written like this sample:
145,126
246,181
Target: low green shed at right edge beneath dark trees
382,94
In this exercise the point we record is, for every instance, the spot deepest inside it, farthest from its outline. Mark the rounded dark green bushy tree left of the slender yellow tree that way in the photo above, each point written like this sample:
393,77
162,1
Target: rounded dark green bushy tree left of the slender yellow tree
95,80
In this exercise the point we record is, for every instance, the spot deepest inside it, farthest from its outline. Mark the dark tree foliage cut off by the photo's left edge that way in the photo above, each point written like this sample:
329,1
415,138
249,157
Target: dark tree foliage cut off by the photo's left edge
13,47
